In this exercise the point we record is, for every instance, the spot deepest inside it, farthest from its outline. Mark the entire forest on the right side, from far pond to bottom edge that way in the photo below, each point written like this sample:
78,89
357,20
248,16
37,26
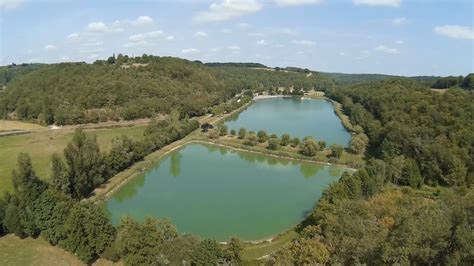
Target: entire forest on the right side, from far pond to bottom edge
383,214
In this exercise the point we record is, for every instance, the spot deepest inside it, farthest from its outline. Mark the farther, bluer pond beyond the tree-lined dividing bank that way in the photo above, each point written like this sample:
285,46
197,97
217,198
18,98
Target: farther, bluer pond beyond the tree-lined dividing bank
299,118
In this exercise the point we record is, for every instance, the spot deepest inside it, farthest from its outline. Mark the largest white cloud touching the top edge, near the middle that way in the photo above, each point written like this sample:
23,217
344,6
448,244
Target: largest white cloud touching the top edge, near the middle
228,9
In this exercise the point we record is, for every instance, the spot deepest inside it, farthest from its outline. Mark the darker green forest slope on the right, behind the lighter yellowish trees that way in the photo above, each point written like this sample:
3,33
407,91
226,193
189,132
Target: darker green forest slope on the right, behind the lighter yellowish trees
410,125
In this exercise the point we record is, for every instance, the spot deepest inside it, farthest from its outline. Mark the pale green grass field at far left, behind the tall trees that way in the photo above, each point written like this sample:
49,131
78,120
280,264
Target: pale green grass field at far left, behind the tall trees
44,143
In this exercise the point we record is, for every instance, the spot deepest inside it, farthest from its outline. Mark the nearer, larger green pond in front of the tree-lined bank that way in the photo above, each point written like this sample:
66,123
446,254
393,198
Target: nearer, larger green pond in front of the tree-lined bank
218,193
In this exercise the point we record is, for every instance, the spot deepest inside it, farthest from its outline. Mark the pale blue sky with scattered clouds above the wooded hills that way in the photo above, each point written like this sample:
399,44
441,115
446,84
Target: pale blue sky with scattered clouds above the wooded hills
400,37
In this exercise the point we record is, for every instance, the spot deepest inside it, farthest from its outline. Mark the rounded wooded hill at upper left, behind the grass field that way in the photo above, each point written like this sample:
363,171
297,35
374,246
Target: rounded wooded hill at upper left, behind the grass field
131,88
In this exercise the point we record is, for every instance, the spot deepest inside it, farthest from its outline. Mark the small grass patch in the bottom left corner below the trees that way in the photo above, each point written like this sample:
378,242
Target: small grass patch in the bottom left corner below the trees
29,251
